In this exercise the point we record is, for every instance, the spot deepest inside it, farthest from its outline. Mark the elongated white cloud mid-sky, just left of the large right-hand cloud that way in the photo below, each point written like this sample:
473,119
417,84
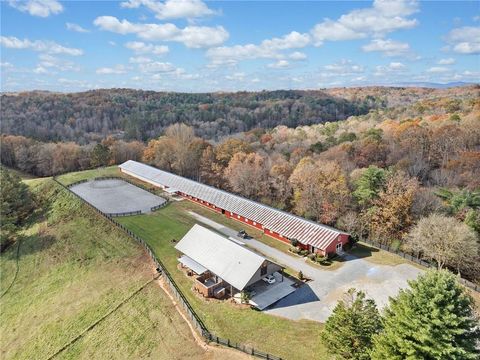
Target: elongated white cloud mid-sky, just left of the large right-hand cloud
267,49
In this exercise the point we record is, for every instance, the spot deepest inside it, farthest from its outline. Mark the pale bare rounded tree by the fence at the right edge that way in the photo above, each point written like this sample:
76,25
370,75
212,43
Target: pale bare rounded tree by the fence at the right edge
446,241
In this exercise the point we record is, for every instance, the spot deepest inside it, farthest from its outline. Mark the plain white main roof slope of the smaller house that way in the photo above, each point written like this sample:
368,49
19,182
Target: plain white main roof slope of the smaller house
232,262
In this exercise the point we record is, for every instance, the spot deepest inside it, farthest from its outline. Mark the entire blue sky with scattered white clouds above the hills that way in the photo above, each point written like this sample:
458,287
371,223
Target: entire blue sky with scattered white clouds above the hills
195,46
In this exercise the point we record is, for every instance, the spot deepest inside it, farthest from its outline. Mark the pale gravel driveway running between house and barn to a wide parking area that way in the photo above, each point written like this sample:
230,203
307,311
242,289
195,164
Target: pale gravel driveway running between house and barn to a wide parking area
316,299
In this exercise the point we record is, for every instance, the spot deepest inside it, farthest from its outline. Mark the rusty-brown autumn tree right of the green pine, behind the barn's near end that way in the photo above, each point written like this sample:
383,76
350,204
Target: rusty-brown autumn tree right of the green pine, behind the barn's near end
391,214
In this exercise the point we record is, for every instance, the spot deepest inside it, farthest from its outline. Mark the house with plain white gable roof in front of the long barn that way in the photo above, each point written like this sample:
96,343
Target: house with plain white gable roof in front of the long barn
221,267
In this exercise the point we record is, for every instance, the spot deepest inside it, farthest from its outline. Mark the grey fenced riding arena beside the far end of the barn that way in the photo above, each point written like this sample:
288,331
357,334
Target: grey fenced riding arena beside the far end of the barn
117,197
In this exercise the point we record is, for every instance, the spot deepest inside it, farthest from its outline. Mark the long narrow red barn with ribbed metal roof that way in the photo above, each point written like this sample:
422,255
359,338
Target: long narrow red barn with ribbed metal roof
278,224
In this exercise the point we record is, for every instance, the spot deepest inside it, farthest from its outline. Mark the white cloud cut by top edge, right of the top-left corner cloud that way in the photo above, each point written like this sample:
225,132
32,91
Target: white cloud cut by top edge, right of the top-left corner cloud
172,9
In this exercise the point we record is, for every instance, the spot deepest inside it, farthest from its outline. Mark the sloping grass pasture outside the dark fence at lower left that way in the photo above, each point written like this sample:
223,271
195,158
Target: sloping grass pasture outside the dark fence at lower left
73,268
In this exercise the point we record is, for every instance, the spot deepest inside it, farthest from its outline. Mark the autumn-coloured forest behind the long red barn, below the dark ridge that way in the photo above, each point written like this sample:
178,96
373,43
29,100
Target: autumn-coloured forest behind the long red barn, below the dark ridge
383,176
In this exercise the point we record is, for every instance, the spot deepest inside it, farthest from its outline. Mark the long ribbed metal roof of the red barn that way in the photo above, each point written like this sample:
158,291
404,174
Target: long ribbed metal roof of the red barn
288,225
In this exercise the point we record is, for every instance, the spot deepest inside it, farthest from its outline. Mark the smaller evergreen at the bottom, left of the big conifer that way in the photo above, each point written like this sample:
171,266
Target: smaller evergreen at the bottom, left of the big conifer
348,331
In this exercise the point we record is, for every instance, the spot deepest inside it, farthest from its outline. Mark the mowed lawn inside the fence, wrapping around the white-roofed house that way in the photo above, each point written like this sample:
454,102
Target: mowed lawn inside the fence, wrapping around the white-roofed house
282,337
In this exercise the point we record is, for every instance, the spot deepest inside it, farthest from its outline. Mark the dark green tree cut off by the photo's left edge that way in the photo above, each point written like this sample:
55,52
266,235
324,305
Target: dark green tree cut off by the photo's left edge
15,205
